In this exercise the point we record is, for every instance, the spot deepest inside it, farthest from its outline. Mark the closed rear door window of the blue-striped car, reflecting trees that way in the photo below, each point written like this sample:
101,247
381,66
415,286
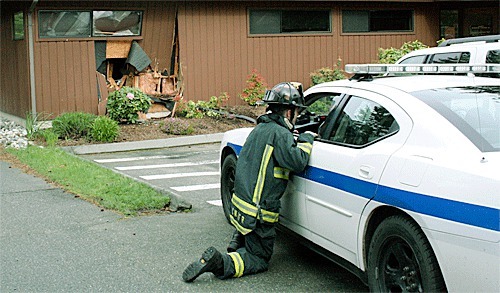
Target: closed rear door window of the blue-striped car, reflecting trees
361,122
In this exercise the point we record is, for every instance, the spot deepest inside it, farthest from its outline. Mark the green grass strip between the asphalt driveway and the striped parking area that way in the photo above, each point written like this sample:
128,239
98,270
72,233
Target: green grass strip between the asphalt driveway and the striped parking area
91,182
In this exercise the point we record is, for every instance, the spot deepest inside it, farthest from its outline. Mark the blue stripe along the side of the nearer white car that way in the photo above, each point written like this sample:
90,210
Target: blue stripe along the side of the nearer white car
466,213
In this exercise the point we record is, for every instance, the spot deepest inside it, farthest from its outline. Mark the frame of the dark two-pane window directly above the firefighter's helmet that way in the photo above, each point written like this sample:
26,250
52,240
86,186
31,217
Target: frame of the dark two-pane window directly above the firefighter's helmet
282,34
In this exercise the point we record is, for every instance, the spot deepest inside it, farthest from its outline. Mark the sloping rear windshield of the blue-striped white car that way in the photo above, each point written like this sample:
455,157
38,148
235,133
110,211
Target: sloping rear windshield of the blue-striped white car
475,111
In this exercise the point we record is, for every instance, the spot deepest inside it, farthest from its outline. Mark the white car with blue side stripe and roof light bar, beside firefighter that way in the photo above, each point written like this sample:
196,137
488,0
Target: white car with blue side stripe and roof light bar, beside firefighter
403,183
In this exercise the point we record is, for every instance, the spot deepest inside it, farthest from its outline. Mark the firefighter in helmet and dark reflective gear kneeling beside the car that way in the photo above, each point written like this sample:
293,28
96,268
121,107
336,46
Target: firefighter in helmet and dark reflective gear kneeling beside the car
263,169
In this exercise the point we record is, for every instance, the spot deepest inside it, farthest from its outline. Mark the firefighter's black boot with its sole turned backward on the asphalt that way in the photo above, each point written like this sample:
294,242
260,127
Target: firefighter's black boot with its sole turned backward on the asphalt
210,261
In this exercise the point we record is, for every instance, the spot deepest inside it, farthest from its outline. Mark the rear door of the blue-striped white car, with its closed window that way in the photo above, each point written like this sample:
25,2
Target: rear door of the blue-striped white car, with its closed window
346,165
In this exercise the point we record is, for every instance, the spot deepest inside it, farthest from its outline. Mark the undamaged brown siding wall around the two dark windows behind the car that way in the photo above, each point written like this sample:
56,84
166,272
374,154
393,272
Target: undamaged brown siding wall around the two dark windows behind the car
217,54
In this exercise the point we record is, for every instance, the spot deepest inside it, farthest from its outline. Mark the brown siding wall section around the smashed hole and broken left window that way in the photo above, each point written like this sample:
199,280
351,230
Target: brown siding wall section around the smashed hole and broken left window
65,70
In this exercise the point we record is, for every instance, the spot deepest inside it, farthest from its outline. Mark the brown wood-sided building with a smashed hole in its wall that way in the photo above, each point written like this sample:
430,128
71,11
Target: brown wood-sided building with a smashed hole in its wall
51,50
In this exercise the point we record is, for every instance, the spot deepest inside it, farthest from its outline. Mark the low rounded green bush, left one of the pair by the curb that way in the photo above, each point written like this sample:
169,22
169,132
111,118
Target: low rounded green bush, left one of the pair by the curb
73,125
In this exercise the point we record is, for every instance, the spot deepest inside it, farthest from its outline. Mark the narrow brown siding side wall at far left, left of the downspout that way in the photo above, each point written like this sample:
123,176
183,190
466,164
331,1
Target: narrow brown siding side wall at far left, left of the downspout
14,67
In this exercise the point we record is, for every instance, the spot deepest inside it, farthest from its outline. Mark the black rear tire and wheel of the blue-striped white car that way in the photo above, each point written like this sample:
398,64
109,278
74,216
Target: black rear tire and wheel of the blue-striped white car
400,259
